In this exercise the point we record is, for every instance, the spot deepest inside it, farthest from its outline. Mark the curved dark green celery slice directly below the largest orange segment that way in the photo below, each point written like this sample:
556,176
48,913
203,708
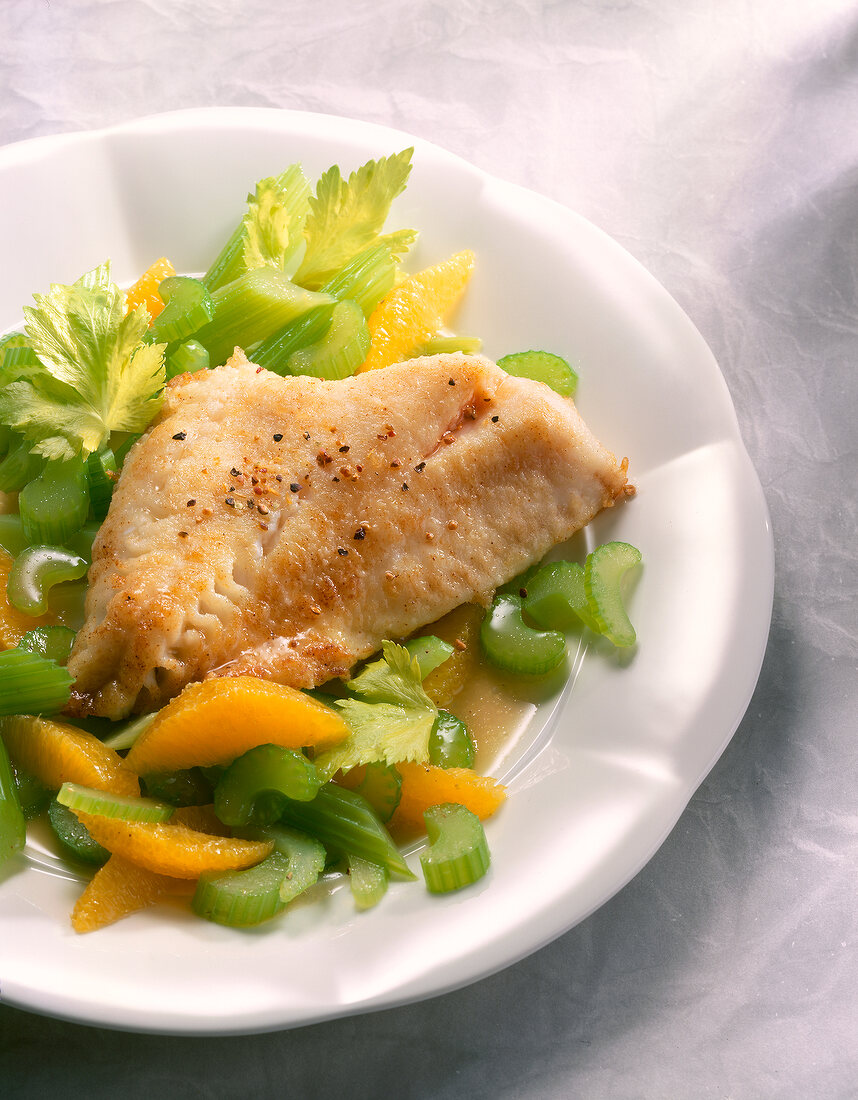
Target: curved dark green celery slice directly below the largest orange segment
256,786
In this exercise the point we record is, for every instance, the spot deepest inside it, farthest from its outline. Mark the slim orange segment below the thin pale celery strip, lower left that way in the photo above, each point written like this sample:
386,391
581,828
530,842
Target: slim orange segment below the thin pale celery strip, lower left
173,850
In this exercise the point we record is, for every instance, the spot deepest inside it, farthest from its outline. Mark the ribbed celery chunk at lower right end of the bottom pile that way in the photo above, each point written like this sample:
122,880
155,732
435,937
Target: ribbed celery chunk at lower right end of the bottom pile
458,854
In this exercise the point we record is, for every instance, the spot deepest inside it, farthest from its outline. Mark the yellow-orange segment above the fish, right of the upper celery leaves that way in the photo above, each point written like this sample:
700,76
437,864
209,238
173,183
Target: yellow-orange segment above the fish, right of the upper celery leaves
416,310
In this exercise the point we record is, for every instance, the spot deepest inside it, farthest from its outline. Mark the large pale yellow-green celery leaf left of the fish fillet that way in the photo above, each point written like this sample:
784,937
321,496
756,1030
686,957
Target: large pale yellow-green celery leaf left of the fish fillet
96,375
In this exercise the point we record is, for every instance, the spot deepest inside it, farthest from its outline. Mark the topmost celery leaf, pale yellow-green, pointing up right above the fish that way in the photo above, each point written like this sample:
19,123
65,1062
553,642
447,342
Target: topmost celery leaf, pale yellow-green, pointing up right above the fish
346,216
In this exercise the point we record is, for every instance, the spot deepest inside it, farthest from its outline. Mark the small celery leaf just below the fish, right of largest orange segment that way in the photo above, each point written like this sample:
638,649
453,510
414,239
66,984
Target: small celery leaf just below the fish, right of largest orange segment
393,720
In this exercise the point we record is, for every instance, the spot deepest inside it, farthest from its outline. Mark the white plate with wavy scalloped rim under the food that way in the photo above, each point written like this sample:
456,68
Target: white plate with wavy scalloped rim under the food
599,780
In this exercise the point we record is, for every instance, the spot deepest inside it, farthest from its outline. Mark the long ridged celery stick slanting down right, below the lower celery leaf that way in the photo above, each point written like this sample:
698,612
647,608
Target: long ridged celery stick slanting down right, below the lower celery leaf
345,821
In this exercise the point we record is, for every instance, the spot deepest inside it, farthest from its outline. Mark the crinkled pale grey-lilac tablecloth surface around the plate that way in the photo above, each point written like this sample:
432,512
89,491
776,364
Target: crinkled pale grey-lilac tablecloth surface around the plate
718,141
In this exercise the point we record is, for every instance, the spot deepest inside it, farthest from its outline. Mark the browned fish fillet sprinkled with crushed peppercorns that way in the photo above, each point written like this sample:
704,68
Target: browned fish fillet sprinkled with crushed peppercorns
284,527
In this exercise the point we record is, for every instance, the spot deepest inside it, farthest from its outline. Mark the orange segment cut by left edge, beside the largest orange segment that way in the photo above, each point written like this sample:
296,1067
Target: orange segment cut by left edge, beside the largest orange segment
58,754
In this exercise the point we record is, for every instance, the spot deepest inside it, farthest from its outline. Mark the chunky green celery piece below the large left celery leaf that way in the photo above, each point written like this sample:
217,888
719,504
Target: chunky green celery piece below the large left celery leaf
56,505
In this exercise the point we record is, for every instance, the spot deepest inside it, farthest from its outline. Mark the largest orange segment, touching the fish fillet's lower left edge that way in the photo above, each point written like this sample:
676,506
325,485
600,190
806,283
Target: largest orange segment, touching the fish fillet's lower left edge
218,720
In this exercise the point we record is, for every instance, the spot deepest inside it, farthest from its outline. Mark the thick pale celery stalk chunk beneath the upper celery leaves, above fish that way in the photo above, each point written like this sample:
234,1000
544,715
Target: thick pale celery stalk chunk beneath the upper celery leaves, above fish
252,309
